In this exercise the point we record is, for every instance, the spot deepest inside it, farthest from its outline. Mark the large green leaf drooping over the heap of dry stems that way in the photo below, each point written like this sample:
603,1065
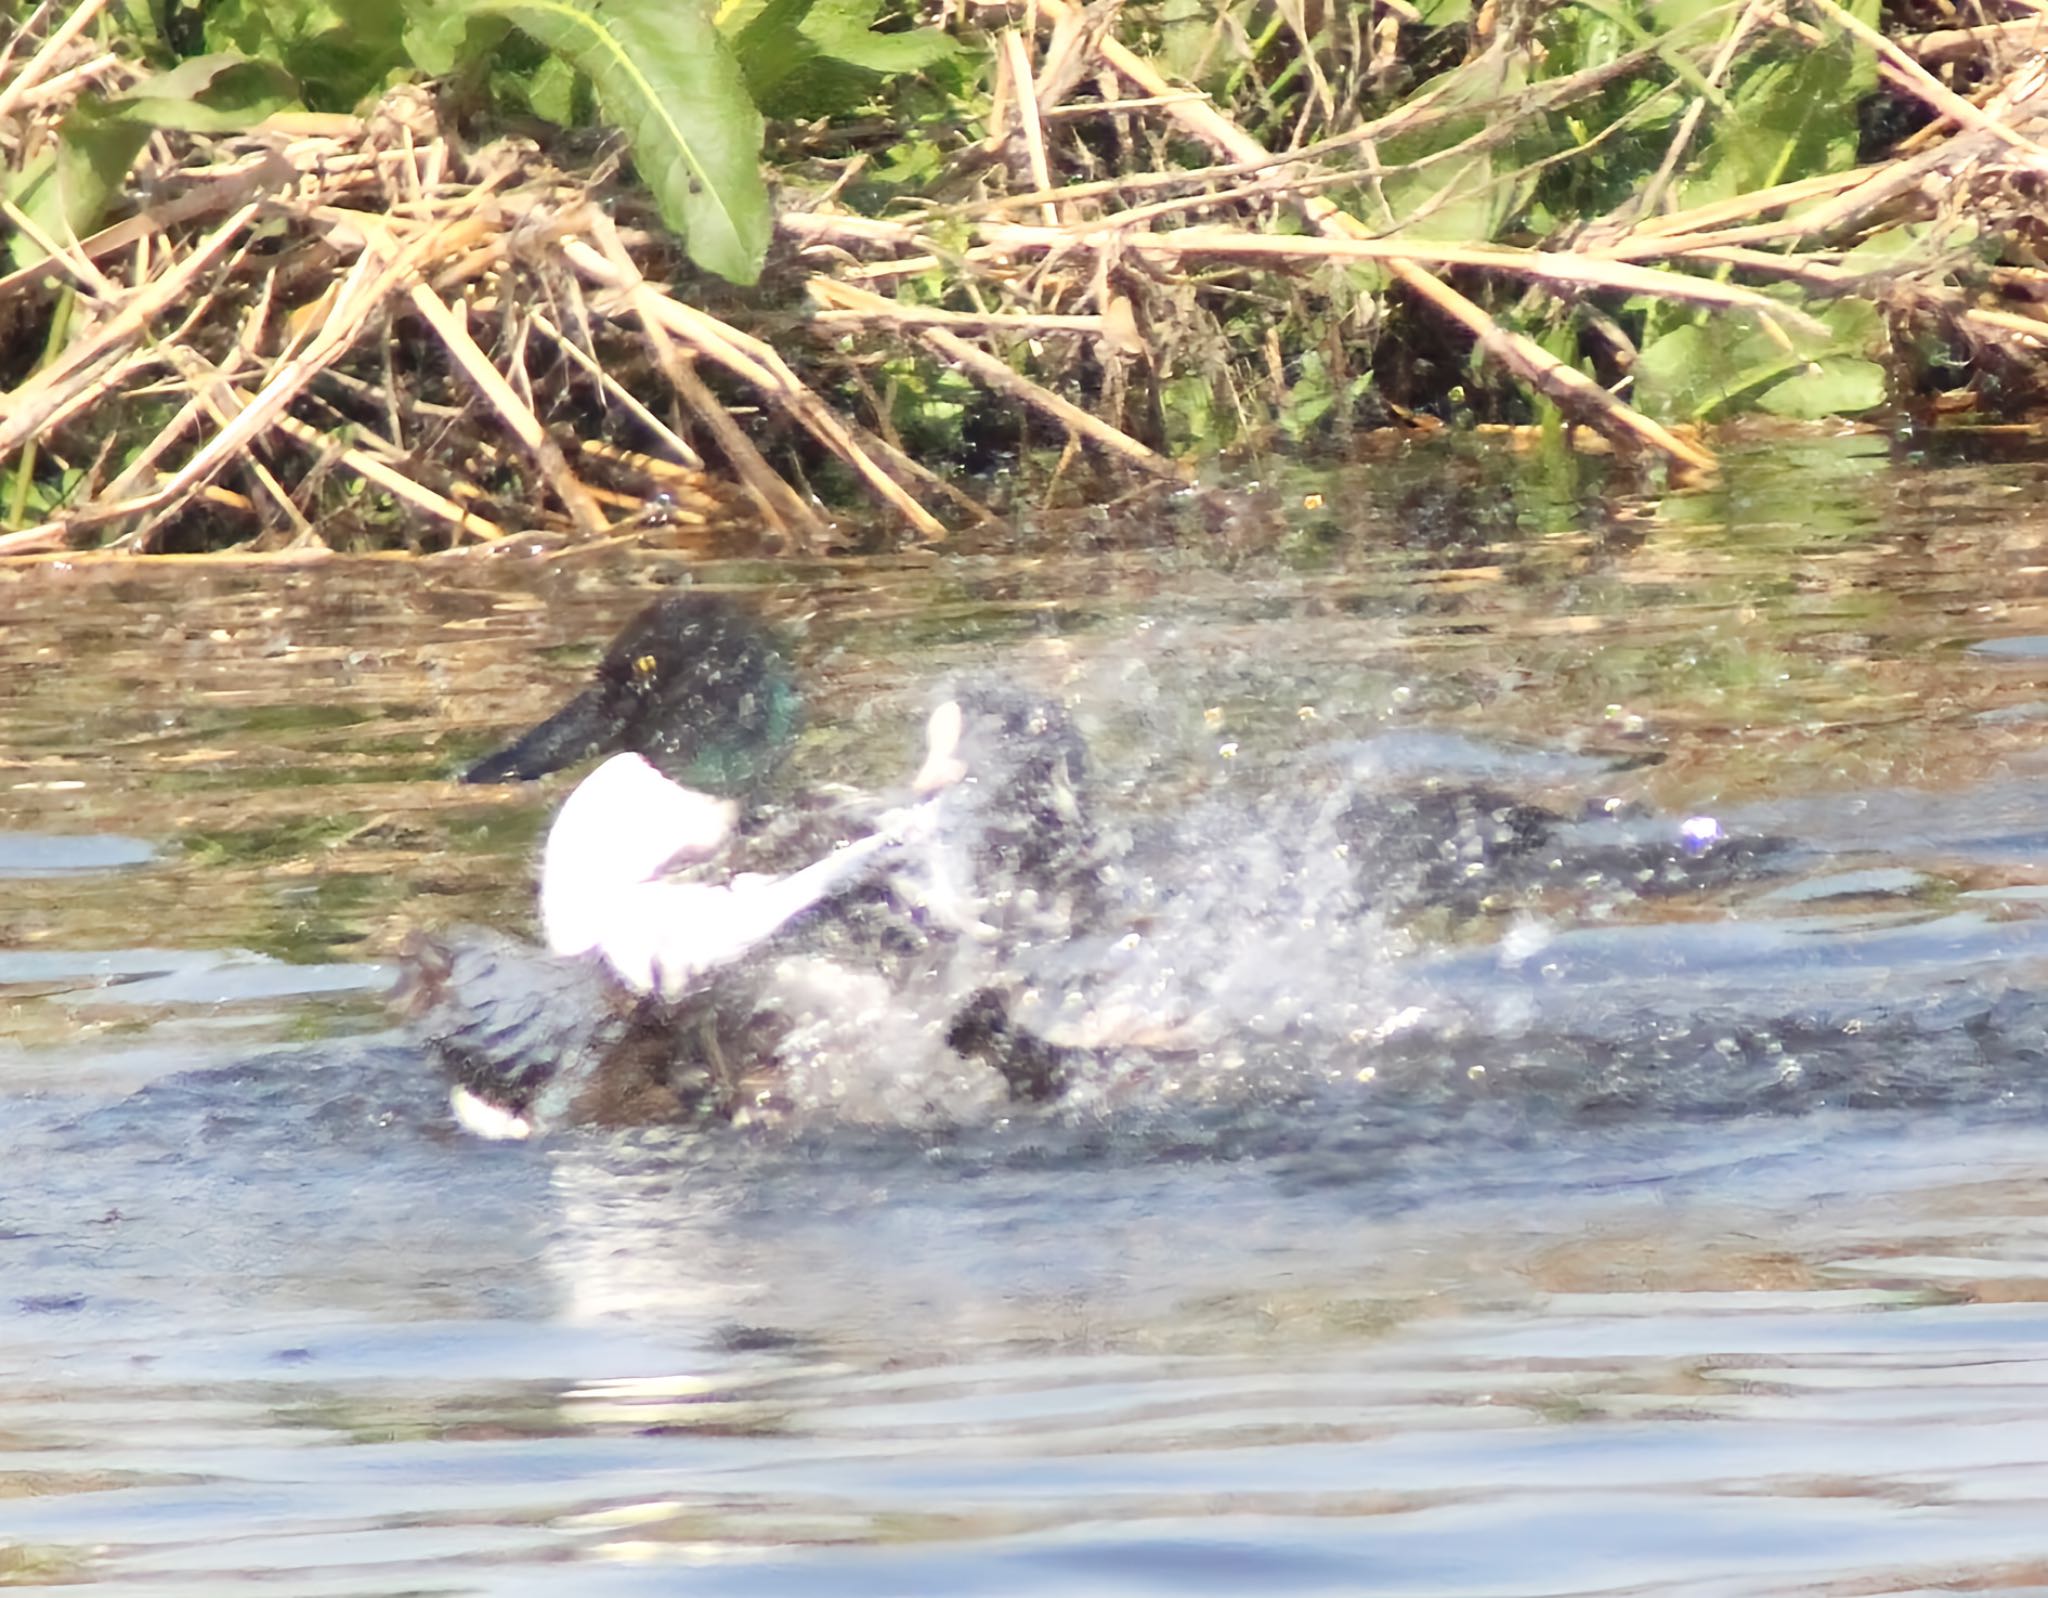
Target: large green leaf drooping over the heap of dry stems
673,87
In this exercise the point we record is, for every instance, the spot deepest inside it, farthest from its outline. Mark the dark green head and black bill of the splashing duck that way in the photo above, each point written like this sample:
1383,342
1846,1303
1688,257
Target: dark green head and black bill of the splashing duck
695,683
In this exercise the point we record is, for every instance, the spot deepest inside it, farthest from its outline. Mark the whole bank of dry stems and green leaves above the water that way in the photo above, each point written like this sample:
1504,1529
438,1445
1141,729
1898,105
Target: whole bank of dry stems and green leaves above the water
439,271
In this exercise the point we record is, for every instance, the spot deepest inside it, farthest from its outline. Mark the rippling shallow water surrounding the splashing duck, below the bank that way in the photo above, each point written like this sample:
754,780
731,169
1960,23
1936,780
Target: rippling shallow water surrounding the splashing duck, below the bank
1652,1243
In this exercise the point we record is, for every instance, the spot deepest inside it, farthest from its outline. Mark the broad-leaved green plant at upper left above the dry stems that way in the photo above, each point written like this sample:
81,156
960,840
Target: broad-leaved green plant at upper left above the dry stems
683,81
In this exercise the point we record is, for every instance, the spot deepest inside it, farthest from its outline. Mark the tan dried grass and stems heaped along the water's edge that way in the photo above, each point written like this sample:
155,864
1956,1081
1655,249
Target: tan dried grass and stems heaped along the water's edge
278,302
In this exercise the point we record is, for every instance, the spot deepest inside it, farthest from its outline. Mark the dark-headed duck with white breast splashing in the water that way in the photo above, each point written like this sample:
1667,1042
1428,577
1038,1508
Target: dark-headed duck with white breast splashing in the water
699,950
